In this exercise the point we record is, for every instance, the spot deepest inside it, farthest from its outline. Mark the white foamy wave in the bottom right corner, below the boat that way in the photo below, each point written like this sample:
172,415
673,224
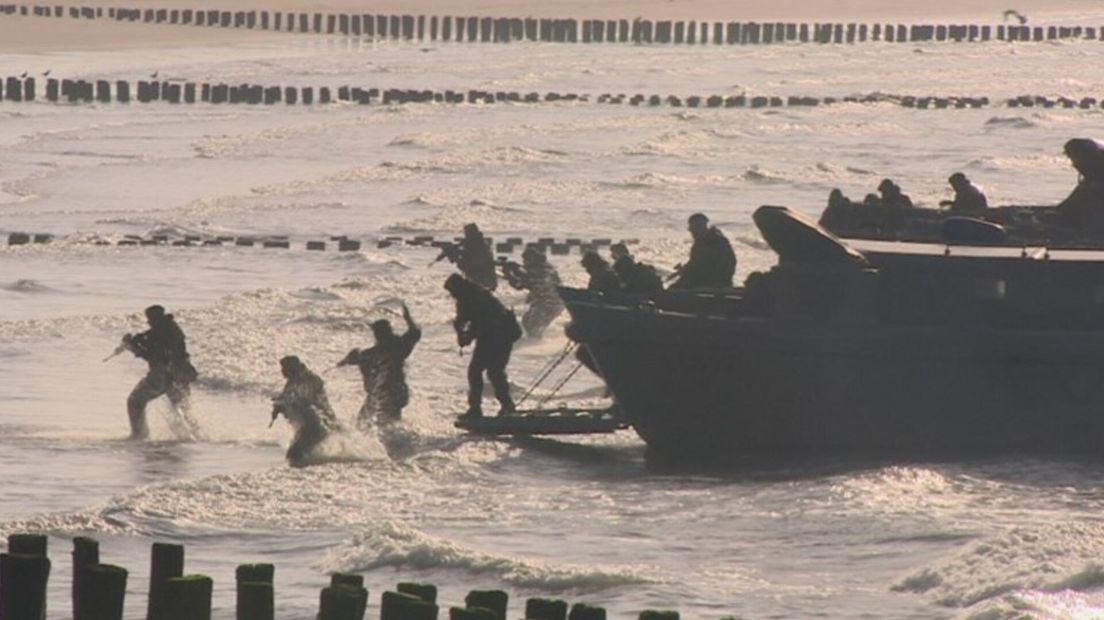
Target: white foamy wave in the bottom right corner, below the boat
1054,558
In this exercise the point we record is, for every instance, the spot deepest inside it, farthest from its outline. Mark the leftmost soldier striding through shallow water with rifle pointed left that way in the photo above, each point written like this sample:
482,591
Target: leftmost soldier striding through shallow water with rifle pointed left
171,373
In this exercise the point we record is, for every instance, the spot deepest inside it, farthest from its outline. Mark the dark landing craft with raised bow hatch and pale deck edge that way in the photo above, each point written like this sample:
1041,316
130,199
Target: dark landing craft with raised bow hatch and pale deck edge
883,348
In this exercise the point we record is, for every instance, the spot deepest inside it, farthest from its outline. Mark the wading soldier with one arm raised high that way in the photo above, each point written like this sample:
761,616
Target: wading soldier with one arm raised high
383,369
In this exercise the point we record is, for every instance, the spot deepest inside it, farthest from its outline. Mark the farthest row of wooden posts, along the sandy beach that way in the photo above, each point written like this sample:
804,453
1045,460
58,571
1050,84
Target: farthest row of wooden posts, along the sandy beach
504,30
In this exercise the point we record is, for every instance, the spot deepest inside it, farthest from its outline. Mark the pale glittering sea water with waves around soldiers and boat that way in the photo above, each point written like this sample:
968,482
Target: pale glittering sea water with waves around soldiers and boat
582,519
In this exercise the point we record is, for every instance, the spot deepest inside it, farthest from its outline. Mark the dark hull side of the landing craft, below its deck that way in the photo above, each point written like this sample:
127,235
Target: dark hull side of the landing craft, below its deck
697,387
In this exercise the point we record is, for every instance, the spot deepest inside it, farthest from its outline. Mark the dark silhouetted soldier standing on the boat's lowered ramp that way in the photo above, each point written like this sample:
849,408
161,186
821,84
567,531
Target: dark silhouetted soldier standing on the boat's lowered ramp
481,318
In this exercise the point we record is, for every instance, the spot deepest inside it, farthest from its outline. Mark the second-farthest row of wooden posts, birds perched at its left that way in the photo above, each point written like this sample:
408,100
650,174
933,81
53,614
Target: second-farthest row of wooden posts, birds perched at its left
19,90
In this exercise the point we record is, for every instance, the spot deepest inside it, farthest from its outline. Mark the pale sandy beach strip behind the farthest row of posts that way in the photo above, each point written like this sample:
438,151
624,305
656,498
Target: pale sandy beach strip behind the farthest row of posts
44,35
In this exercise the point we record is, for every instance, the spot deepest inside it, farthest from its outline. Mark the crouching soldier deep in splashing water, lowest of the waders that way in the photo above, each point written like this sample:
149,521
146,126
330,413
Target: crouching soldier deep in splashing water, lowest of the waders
304,403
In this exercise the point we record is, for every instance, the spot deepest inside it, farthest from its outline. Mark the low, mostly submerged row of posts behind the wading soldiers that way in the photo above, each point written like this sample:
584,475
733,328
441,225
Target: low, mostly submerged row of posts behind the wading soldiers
342,243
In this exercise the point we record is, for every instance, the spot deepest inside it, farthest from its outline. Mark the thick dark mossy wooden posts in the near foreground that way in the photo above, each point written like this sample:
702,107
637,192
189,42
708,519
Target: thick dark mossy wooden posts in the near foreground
99,592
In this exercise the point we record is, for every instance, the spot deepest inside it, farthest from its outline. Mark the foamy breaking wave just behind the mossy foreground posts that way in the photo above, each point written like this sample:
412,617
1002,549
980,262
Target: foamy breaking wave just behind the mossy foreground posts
391,546
